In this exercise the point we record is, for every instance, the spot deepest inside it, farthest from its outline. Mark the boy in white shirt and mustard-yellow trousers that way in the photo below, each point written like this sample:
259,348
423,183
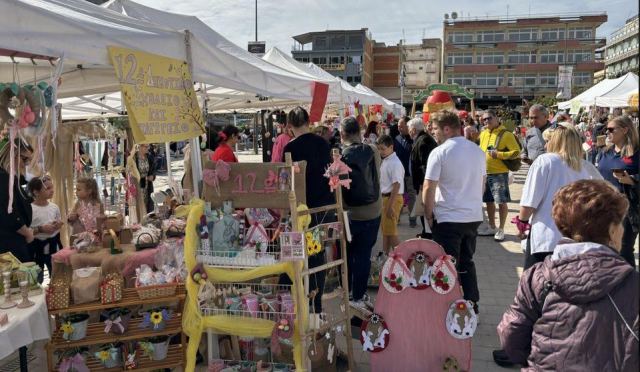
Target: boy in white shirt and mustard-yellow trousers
391,188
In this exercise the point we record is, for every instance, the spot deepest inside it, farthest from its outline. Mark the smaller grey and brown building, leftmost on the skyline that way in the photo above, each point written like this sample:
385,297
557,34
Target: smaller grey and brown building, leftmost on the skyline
347,54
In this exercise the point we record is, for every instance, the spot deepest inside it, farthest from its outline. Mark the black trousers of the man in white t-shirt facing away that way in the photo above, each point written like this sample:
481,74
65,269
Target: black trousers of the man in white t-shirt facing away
459,241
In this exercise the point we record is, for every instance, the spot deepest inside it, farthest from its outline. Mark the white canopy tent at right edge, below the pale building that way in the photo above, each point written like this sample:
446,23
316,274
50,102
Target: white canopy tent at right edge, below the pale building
607,93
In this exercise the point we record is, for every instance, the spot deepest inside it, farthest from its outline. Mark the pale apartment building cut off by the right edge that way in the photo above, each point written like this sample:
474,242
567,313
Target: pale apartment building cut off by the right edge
621,54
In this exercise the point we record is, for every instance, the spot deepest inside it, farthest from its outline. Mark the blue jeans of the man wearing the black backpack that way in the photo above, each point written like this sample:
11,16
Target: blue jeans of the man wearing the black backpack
363,237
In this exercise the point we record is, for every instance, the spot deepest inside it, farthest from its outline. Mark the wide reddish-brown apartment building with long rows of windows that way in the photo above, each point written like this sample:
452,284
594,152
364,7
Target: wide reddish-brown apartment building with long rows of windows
506,59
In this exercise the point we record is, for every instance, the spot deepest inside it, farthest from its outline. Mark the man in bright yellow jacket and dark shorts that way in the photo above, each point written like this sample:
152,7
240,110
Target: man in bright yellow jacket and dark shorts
502,150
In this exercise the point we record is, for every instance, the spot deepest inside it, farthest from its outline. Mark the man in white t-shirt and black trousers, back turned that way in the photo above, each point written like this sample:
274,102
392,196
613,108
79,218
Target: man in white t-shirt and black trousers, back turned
452,196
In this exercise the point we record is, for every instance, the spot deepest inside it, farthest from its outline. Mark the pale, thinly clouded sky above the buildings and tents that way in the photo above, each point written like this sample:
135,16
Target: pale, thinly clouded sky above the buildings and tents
279,20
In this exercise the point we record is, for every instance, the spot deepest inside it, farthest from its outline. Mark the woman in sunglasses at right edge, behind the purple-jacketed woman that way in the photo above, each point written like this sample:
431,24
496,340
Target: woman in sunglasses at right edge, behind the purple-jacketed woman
619,164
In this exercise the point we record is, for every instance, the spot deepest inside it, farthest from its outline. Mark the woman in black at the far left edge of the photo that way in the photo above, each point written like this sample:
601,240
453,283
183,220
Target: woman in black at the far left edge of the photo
15,232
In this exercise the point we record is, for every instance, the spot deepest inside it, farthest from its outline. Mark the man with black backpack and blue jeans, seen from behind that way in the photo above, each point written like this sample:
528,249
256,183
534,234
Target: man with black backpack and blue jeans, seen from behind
362,201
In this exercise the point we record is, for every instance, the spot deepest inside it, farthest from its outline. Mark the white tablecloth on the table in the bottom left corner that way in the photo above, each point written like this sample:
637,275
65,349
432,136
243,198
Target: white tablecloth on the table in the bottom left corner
25,325
